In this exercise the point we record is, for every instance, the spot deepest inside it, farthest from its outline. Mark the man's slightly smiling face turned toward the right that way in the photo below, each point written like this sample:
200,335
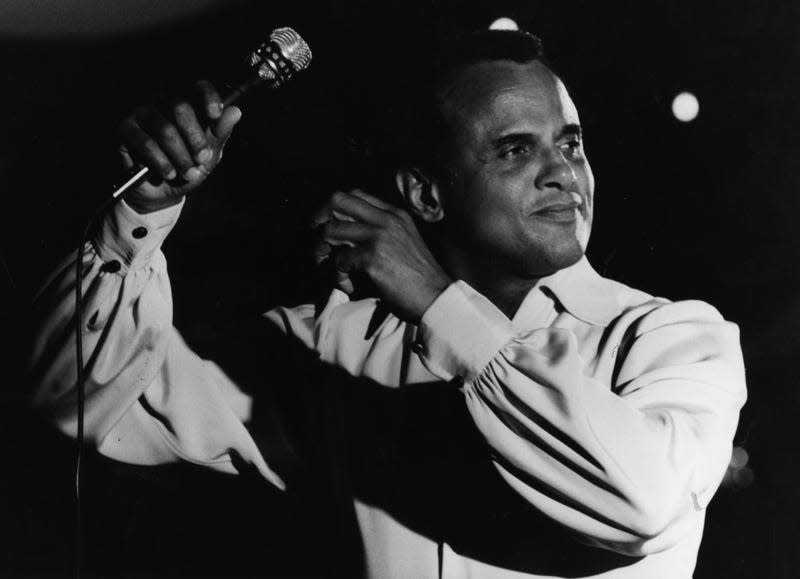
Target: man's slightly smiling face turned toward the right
520,190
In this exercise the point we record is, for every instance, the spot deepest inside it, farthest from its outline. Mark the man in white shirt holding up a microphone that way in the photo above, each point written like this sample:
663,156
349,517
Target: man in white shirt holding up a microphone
598,419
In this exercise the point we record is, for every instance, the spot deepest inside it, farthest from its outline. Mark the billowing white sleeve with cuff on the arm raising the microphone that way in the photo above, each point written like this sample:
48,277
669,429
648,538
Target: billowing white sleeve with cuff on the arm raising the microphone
149,398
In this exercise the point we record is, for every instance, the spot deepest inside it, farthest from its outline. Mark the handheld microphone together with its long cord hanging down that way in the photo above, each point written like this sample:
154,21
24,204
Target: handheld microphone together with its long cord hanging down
273,63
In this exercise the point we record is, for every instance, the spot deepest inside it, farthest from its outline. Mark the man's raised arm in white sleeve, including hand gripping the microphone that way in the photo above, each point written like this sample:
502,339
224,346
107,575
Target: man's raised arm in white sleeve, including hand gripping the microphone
149,398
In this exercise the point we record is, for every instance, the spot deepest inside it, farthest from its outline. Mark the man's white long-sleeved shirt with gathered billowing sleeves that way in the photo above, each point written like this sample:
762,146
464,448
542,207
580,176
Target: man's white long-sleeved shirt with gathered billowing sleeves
603,410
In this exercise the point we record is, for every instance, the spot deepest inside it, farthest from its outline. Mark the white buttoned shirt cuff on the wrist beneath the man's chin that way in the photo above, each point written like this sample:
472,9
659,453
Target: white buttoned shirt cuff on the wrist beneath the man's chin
461,332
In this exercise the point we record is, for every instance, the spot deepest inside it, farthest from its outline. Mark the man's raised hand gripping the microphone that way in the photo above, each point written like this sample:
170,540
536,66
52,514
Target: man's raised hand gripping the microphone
180,144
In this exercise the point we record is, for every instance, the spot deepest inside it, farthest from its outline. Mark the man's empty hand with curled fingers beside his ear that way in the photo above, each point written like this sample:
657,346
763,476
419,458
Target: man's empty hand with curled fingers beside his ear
363,234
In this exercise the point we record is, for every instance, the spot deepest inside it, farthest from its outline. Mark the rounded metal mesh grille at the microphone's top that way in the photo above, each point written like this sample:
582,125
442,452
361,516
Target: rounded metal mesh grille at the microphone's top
279,58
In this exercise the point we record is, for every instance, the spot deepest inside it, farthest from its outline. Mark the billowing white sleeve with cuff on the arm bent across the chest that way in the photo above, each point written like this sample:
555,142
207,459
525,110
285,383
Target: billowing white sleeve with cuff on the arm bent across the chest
628,463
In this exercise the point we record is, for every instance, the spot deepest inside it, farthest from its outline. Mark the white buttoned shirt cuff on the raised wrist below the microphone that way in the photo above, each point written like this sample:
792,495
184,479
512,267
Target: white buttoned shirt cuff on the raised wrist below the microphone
130,238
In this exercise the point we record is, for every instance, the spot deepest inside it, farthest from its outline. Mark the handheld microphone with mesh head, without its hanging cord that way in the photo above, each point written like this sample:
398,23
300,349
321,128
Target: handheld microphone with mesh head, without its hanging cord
274,62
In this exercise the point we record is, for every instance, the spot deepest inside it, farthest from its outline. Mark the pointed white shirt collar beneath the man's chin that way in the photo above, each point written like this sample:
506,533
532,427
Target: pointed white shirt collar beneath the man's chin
583,293
